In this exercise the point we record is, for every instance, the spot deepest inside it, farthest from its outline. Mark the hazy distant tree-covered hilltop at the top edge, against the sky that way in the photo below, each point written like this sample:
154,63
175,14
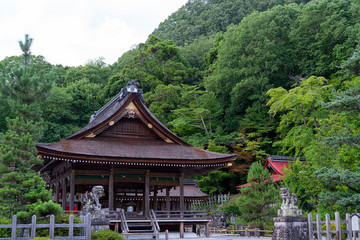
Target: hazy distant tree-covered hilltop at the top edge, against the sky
199,18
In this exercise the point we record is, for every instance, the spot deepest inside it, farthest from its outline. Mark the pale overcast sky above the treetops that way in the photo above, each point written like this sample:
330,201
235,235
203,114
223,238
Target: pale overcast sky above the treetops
71,32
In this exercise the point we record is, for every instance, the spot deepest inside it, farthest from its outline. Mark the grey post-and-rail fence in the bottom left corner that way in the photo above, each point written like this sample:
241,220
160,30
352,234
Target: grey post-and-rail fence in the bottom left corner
85,226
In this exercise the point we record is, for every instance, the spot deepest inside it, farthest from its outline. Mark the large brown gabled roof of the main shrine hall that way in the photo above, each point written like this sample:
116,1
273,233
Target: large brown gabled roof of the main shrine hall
125,132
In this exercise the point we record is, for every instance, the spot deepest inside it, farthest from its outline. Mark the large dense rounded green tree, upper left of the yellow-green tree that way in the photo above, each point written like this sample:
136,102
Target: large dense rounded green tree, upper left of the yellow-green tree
254,56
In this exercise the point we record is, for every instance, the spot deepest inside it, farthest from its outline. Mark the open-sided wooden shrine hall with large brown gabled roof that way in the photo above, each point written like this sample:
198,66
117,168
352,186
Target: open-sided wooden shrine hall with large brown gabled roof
126,149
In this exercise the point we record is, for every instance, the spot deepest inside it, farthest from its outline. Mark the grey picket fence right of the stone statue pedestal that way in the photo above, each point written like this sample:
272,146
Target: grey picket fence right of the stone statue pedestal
322,229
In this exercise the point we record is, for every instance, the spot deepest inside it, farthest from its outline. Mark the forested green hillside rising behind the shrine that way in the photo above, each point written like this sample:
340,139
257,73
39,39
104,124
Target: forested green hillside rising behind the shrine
253,78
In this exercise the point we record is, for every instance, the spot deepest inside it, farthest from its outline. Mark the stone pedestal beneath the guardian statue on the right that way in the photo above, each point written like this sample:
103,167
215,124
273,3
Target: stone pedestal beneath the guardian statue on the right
290,228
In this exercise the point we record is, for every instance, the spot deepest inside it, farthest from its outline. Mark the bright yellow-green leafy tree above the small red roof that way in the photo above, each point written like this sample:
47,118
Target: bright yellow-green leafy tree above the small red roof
302,111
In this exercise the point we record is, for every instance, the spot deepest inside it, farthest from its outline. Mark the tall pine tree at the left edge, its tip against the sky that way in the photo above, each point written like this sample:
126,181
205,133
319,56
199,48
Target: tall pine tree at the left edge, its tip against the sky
22,191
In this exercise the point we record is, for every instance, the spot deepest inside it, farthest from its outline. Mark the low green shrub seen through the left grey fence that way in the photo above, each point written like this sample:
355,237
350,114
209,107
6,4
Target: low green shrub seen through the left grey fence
60,232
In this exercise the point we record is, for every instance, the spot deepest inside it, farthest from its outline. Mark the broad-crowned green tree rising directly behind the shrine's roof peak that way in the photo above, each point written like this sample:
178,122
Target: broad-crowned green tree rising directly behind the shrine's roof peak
154,62
